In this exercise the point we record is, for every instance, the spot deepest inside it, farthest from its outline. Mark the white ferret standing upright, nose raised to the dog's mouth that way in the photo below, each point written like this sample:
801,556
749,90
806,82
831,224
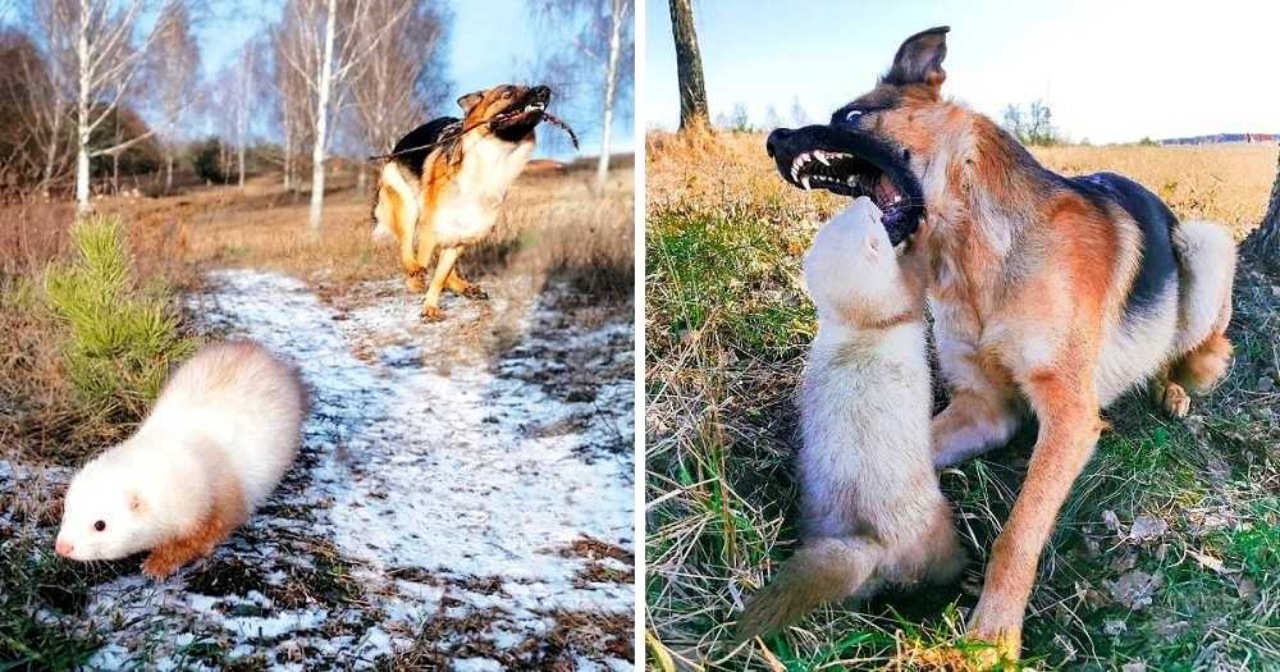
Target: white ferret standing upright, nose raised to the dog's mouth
874,514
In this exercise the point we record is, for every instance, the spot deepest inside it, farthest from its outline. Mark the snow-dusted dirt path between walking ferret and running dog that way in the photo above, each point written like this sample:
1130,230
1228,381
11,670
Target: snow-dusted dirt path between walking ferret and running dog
464,499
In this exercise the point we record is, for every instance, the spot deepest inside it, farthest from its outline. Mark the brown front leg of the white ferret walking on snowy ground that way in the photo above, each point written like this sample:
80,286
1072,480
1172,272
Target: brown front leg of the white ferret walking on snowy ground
227,511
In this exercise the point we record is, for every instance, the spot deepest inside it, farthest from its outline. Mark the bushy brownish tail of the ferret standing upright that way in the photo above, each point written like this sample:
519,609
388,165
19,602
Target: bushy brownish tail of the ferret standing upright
824,570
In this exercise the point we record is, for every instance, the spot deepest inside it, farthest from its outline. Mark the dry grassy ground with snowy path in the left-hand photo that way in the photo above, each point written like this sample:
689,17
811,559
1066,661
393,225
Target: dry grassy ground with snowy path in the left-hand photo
346,568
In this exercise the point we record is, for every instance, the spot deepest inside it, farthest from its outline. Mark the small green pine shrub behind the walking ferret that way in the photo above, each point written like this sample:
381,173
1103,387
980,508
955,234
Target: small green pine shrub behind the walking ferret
120,341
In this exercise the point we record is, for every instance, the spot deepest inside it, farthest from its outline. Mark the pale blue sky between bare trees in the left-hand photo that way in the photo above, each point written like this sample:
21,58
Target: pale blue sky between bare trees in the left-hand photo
492,44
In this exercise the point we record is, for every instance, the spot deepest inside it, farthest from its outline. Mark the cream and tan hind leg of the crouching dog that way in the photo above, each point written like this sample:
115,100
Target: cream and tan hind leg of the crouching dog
1208,272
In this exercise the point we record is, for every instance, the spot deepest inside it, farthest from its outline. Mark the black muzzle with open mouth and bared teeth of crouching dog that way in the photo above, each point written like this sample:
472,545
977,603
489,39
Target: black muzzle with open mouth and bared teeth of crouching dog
852,164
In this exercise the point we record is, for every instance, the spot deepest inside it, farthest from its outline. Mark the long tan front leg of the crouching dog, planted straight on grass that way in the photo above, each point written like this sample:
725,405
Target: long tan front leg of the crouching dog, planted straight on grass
1069,426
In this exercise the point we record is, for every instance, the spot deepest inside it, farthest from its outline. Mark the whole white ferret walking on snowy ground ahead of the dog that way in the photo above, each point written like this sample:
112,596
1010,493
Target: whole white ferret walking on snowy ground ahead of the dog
220,440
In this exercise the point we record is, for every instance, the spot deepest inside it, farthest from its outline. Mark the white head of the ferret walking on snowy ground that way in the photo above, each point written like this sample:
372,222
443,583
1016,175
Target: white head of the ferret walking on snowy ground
103,516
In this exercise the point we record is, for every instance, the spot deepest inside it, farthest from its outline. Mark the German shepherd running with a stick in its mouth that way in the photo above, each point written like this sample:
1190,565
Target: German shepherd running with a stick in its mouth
447,180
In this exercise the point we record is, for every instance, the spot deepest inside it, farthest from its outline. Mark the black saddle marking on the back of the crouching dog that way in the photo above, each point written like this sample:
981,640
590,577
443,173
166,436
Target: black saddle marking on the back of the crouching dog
1159,267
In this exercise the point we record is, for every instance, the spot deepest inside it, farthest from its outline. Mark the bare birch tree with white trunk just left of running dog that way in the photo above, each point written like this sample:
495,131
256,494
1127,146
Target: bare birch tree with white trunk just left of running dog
331,40
